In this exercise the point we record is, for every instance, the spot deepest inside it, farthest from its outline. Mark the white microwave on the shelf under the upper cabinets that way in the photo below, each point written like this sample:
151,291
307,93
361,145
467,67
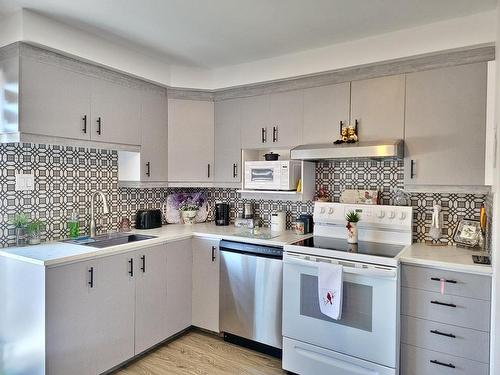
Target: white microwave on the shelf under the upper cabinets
272,175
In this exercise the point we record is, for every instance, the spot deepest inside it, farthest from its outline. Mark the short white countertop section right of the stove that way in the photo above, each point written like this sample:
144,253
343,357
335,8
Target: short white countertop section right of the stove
450,258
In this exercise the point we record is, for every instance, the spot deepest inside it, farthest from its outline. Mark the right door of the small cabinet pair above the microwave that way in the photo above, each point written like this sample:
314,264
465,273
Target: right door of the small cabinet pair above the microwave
286,116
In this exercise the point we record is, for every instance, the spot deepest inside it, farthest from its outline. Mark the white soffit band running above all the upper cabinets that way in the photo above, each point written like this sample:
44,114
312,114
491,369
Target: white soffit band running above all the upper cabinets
460,32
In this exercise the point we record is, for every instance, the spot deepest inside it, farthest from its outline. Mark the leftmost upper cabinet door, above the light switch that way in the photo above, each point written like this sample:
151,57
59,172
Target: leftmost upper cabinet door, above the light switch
54,101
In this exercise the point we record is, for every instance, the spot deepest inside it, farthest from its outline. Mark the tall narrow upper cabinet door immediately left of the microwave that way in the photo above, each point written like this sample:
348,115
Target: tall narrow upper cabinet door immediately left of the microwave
227,141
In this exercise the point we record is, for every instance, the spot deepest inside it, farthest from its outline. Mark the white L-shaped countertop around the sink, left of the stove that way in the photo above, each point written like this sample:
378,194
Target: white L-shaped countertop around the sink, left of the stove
56,253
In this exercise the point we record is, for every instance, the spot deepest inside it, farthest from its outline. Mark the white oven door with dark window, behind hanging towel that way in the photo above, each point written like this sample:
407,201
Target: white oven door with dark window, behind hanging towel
369,326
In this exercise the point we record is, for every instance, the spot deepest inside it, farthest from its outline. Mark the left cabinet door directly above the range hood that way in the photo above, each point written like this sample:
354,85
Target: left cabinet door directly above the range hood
324,108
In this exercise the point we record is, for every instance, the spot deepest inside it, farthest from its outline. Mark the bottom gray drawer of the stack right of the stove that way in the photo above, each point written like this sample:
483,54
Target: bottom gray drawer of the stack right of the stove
417,361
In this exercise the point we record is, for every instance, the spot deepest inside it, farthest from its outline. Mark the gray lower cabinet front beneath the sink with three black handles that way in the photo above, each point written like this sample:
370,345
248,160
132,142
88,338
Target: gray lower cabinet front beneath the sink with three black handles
102,312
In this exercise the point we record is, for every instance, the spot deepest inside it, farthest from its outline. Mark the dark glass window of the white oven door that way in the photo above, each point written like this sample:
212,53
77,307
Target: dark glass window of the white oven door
356,303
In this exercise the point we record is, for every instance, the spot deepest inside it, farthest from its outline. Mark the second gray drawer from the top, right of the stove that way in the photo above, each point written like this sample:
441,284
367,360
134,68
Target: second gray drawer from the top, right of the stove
459,311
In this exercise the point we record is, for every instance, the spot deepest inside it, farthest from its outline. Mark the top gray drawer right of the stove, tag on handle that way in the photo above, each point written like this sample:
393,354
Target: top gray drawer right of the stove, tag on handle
457,283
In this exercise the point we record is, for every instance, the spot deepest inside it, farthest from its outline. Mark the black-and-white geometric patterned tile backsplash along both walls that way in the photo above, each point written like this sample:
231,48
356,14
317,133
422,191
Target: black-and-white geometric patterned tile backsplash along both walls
65,178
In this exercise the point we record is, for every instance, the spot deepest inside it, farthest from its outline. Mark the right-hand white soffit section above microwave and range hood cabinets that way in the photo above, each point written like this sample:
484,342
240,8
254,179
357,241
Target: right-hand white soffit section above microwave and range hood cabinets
459,32
